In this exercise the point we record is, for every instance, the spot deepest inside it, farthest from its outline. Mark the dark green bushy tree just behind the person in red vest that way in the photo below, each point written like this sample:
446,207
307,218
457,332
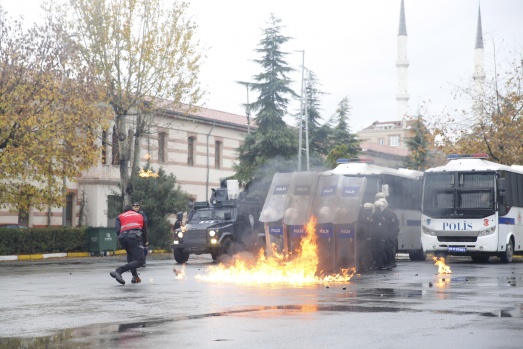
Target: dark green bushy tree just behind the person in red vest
159,197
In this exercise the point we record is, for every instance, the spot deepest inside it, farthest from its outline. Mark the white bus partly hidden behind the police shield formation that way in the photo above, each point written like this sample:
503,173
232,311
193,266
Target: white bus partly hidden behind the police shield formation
402,188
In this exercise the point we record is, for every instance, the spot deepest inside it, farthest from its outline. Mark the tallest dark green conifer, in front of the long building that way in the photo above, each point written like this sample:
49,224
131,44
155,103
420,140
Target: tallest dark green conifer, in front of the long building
273,137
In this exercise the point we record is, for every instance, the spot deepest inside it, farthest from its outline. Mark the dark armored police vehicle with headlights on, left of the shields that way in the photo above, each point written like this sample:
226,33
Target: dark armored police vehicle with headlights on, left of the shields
227,224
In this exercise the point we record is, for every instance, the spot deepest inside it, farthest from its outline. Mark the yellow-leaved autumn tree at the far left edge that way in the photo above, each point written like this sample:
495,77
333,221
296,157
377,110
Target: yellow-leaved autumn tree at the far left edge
49,114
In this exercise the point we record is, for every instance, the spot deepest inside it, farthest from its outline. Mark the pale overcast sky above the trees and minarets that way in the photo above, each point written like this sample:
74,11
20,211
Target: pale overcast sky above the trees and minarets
351,46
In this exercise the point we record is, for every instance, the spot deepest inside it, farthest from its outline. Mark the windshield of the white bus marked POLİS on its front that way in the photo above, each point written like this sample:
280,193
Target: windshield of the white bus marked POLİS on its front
463,194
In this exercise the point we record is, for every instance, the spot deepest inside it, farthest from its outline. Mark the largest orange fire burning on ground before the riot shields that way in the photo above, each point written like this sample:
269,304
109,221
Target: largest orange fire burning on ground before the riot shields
298,269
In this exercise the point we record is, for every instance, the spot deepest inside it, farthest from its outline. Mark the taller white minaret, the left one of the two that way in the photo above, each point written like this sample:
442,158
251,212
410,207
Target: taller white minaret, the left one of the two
402,64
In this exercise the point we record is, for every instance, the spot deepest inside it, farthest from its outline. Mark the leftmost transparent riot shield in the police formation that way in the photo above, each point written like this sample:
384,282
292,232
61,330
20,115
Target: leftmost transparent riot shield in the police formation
274,208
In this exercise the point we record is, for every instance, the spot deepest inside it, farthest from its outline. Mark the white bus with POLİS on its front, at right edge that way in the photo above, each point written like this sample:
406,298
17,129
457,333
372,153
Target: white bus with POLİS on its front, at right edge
473,207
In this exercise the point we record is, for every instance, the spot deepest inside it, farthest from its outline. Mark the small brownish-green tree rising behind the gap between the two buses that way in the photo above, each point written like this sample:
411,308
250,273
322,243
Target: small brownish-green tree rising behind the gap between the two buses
420,145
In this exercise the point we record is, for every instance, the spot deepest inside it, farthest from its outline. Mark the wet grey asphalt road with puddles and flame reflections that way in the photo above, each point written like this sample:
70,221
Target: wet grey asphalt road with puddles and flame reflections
74,303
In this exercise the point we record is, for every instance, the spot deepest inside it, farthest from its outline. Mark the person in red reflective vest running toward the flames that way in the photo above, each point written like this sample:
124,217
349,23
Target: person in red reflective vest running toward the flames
131,229
